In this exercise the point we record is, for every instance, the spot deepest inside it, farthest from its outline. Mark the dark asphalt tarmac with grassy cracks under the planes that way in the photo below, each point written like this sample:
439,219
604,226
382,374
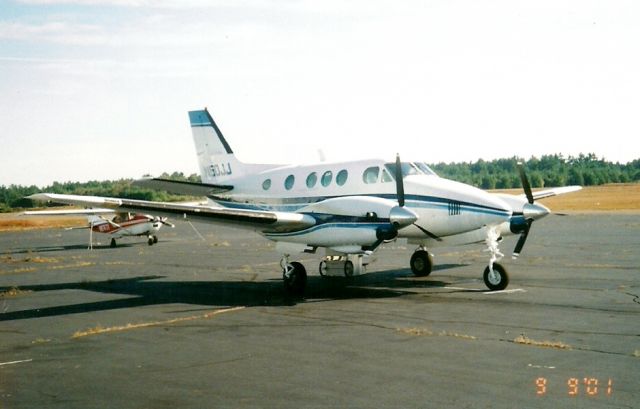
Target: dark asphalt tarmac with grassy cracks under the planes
192,323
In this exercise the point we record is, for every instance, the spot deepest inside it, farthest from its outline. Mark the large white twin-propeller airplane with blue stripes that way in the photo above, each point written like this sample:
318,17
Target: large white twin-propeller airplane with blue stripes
347,209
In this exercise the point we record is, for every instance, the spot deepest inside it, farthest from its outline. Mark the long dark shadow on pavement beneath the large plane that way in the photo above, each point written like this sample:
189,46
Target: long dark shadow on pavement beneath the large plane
151,290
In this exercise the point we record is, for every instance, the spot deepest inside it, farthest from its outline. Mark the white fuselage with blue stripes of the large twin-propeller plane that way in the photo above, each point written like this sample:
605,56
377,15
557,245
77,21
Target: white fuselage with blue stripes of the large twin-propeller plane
444,207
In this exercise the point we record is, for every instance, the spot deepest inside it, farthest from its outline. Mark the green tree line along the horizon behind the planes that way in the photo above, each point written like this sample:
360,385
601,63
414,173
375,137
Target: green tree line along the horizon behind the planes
547,171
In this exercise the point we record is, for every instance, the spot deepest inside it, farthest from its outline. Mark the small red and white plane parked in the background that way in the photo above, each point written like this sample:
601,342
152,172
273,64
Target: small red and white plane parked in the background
123,224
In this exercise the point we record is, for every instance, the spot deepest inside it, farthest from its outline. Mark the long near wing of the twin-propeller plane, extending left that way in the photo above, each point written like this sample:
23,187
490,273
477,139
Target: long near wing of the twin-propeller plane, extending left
253,219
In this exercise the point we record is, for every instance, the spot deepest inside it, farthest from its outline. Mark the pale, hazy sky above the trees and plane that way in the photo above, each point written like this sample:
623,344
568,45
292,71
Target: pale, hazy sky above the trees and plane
100,89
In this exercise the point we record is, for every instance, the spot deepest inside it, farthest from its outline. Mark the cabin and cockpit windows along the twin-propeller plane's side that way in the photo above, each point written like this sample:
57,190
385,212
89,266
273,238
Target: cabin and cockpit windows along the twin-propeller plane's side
371,175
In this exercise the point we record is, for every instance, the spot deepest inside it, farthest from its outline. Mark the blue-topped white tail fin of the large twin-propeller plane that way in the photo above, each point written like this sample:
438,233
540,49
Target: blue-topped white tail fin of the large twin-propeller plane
216,160
